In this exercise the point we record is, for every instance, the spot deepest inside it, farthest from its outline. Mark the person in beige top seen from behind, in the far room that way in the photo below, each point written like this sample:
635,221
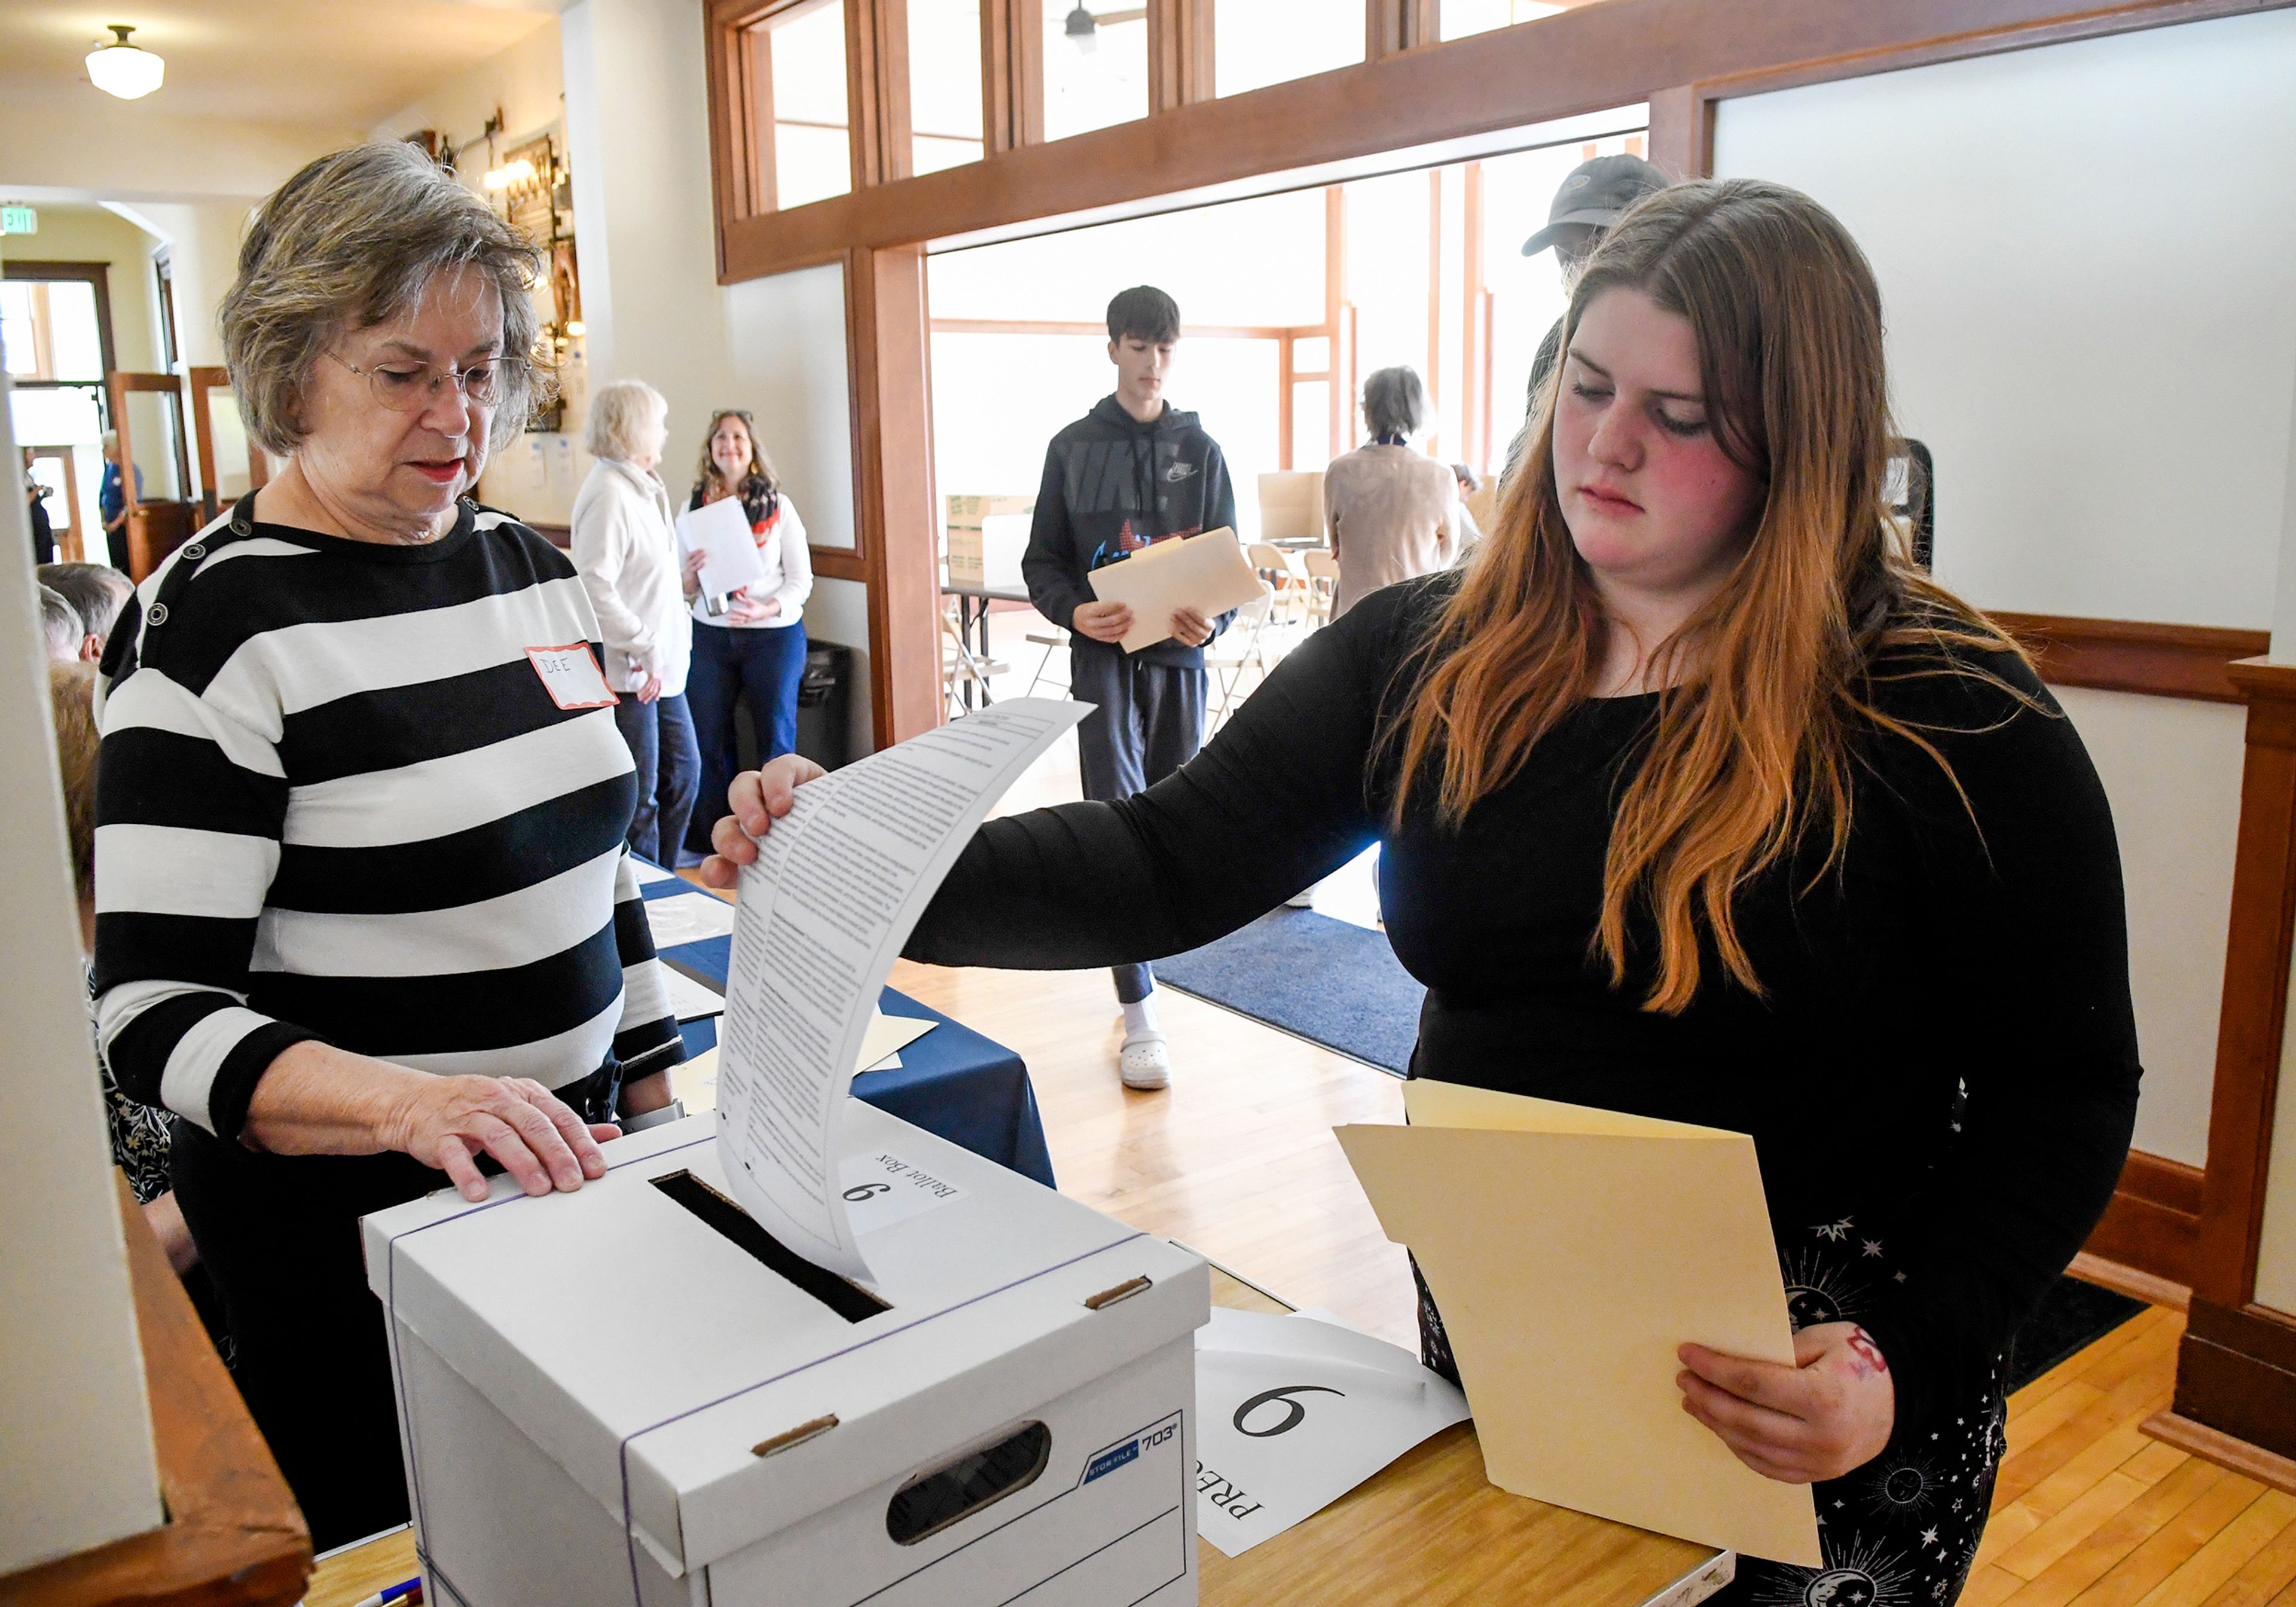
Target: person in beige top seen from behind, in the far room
1393,513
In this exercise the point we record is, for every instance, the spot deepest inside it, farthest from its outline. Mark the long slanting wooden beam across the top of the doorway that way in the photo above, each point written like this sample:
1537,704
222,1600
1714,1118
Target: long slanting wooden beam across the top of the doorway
1581,61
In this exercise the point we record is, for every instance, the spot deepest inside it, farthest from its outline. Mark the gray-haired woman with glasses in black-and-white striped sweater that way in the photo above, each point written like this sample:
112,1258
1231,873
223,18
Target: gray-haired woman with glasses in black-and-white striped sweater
366,908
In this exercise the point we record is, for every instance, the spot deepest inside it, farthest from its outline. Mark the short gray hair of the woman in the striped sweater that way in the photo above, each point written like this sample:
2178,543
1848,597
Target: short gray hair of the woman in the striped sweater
352,242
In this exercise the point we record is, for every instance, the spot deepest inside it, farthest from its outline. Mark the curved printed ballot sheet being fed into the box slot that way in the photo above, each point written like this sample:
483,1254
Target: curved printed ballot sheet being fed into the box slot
823,913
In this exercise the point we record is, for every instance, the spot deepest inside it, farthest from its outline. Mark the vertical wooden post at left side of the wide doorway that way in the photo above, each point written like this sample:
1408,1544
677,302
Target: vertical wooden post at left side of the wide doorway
897,527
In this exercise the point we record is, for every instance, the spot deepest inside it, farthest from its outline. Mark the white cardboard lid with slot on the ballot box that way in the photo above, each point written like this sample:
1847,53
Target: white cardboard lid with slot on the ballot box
651,1356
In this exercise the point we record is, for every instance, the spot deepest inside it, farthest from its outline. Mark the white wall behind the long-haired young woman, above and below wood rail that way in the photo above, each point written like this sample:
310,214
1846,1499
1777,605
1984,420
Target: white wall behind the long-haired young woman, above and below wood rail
2084,256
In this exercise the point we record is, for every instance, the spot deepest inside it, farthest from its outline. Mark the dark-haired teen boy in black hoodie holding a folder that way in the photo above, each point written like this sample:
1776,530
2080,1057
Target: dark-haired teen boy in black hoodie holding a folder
1128,474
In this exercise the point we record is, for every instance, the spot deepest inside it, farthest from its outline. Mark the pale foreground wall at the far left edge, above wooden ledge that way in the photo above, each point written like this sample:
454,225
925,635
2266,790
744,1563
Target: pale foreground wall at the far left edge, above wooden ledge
77,1464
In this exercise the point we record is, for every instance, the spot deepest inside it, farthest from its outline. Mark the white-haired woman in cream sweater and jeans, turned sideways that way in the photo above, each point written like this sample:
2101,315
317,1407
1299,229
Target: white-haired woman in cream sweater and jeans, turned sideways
626,550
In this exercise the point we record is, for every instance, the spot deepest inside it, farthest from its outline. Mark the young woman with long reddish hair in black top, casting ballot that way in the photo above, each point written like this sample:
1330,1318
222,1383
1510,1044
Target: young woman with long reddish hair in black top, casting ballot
1698,800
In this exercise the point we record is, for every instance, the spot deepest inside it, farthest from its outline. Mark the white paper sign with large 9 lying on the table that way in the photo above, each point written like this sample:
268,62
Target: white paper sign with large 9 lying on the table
1294,1413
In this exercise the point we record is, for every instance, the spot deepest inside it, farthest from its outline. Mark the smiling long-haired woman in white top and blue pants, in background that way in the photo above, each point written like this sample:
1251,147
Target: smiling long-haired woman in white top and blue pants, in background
752,639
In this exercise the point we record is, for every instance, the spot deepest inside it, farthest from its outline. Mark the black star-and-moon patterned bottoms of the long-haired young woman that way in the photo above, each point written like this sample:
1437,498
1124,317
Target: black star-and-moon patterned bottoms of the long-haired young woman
1898,1532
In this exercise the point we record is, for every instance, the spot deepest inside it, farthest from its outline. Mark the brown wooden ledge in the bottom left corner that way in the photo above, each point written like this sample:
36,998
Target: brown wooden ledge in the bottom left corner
233,1530
